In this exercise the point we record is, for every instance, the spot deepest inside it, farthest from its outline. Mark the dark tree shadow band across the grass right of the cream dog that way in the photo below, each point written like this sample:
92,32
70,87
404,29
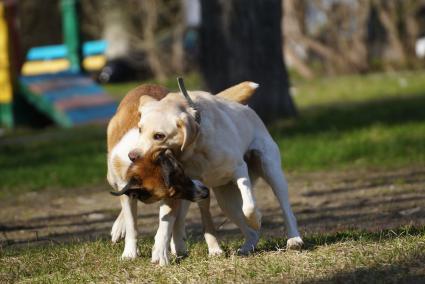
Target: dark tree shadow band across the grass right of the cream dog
346,117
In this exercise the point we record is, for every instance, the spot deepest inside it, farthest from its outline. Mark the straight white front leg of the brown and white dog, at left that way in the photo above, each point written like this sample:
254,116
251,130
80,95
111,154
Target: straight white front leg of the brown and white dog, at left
129,211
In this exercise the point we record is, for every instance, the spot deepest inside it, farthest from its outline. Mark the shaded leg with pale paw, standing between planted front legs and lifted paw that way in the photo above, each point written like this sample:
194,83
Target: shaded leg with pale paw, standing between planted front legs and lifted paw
210,233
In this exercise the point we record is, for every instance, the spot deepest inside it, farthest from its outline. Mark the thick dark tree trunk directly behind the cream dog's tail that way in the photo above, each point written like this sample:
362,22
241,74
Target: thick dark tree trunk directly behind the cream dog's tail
242,40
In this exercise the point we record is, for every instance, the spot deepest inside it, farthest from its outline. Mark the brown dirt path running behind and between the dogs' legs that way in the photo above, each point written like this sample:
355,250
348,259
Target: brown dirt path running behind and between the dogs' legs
323,202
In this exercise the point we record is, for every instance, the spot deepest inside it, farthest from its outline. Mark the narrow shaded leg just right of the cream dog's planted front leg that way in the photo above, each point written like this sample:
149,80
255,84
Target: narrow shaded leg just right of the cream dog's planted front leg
178,246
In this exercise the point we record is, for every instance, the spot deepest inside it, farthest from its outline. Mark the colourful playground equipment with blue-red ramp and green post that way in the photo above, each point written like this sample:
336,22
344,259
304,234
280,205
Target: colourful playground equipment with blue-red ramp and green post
52,78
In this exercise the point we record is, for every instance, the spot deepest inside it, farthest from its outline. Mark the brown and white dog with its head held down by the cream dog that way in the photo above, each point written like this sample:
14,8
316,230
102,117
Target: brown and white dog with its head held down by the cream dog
154,177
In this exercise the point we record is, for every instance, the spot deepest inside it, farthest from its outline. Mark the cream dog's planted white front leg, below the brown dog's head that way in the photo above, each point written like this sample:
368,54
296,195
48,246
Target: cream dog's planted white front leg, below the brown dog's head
167,216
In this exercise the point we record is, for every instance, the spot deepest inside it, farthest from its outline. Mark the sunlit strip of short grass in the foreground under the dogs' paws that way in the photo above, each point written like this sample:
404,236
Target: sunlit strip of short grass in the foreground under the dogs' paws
353,256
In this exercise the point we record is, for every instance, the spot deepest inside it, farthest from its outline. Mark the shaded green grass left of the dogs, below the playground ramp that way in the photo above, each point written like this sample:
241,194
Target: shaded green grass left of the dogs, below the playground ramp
53,158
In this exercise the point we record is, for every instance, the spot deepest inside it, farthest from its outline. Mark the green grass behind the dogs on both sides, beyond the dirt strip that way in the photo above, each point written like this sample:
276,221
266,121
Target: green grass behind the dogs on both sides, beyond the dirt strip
348,122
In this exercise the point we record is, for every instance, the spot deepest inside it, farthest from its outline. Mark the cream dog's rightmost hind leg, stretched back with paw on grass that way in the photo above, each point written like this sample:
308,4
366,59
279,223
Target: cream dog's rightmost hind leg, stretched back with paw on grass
270,165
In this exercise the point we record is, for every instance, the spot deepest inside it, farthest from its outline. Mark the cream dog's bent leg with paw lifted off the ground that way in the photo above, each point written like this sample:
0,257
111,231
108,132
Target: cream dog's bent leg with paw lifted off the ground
249,206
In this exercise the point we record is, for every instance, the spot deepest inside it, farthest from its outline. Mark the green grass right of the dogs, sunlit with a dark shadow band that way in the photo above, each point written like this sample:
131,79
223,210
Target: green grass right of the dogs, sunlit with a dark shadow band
356,122
